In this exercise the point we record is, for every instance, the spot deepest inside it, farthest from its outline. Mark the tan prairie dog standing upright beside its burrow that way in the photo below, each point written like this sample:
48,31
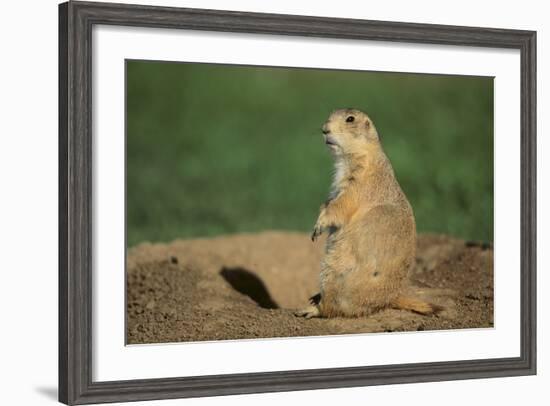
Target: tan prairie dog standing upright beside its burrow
371,243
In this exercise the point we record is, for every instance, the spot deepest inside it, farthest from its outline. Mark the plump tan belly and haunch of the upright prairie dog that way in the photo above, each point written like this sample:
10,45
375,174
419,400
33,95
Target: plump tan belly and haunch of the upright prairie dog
367,262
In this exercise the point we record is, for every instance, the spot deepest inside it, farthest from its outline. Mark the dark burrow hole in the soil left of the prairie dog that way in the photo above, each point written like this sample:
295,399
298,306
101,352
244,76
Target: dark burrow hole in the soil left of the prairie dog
249,284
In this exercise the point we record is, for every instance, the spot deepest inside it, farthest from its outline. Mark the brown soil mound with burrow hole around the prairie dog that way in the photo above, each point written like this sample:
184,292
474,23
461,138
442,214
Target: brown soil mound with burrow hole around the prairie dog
247,286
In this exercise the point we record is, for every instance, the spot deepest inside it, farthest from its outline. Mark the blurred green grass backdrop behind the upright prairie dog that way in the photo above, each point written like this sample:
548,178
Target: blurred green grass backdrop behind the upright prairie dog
220,149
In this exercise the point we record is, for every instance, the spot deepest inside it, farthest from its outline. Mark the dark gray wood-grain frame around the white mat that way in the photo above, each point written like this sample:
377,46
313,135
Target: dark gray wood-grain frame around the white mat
76,20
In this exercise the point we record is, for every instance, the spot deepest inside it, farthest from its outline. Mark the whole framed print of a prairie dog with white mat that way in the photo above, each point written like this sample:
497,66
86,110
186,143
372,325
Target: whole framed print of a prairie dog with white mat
257,202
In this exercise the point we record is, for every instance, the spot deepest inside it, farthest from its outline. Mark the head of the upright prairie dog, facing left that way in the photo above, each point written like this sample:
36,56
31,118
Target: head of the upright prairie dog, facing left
349,131
